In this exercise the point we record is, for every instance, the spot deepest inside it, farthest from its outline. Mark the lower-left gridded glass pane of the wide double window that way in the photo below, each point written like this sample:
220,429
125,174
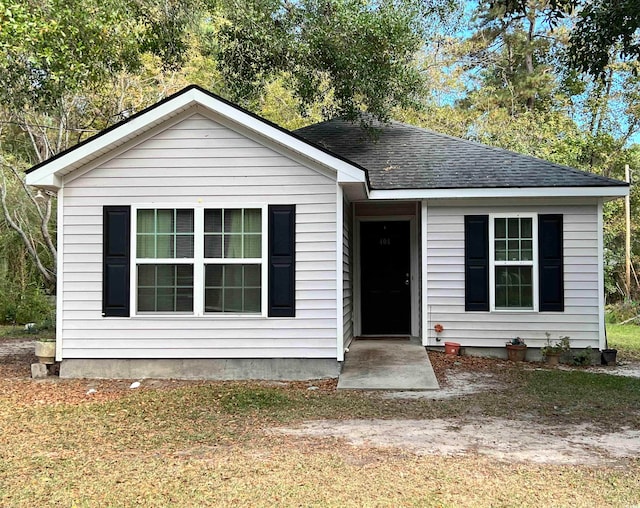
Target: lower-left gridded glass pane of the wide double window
165,288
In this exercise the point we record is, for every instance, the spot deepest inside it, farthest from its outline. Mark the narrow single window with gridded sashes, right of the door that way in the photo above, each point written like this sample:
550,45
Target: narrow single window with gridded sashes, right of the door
513,262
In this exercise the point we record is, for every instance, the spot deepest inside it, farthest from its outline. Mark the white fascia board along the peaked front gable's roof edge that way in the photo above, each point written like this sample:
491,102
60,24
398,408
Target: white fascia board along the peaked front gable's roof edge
44,175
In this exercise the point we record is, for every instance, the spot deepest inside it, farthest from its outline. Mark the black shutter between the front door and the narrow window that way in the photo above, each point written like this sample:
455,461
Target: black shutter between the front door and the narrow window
476,262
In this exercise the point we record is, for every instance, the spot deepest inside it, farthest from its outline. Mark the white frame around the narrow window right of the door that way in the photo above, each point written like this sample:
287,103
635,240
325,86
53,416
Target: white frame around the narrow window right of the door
493,263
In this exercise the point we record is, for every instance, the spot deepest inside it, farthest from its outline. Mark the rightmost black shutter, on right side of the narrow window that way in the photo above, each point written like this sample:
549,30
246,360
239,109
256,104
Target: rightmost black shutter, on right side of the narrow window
550,268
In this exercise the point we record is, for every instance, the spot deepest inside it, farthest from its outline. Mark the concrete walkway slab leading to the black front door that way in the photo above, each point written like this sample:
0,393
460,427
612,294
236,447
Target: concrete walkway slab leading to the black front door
387,364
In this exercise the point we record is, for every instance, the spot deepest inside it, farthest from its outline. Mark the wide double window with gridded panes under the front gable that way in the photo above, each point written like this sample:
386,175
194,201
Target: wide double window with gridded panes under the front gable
199,260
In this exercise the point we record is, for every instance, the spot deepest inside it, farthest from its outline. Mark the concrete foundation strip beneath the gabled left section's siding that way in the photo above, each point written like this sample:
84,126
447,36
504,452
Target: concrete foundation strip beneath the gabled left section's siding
282,369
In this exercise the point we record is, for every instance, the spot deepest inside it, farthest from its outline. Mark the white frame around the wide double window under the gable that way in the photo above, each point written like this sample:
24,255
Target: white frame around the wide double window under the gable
199,261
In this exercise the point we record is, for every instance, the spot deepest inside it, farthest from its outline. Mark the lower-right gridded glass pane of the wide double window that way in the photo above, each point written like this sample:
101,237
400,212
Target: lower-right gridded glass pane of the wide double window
233,288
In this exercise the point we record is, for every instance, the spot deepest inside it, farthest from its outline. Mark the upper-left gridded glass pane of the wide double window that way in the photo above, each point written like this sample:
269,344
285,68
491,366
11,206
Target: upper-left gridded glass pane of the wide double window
164,233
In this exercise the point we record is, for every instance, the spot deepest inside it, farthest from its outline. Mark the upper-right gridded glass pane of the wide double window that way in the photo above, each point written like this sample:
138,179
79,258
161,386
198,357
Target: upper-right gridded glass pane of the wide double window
233,233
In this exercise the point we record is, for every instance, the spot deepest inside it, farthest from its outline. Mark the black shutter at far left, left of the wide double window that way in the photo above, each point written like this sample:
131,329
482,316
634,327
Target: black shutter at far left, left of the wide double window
116,258
